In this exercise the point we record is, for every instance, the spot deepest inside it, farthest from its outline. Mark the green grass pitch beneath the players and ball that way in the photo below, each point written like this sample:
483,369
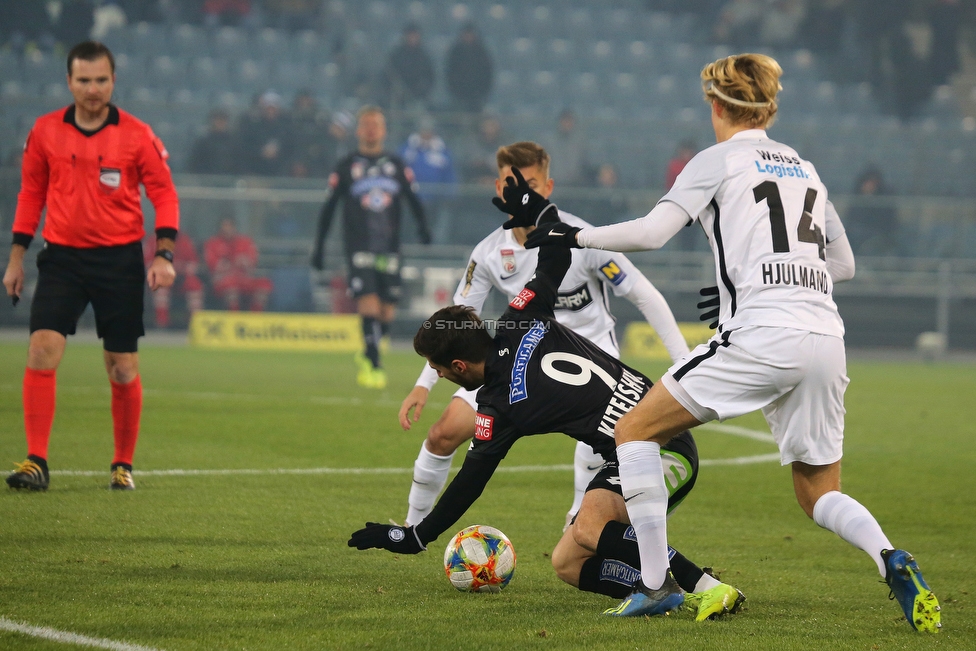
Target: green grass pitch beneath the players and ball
261,562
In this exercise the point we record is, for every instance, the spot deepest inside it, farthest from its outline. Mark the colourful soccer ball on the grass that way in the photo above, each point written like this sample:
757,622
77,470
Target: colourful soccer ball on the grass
479,559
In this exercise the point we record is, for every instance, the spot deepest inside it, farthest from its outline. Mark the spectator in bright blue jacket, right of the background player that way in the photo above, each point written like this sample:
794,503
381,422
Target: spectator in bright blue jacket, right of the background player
428,156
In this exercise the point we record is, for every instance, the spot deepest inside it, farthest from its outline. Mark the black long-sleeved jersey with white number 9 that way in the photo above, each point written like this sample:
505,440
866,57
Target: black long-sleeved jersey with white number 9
539,377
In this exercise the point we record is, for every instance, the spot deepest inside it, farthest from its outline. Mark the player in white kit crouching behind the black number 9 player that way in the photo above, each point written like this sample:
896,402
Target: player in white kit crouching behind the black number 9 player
500,261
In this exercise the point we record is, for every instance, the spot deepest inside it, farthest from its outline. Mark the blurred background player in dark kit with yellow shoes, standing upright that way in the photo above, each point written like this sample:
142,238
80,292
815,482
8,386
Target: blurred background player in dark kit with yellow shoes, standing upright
372,185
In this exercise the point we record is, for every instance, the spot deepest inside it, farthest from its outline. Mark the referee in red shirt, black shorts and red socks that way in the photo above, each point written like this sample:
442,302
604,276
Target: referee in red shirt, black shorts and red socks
85,163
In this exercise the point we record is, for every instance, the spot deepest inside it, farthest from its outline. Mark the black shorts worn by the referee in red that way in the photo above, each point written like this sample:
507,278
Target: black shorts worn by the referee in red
110,278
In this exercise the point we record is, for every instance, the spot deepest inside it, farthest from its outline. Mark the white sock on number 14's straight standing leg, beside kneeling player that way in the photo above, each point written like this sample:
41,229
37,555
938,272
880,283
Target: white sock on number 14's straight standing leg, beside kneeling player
646,496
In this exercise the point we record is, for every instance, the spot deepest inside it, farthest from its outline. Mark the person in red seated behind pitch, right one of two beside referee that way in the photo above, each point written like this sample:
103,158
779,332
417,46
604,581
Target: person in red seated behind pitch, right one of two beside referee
232,259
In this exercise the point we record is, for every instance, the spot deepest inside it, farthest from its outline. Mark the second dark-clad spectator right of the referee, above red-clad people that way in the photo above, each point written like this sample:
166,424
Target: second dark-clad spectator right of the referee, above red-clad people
266,146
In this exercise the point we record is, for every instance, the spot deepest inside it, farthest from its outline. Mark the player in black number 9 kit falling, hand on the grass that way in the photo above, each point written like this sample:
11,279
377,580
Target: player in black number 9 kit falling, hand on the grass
538,376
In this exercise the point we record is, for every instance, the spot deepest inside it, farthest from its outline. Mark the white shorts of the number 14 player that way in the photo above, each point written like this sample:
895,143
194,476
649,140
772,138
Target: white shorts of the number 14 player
796,378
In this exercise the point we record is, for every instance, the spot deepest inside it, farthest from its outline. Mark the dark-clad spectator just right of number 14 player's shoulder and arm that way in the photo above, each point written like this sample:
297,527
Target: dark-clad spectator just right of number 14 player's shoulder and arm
872,224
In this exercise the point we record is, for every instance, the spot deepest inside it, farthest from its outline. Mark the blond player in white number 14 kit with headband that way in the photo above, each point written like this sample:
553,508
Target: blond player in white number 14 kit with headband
779,246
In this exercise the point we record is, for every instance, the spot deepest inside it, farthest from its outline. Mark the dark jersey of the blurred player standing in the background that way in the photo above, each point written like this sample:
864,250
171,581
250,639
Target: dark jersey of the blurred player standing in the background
372,189
